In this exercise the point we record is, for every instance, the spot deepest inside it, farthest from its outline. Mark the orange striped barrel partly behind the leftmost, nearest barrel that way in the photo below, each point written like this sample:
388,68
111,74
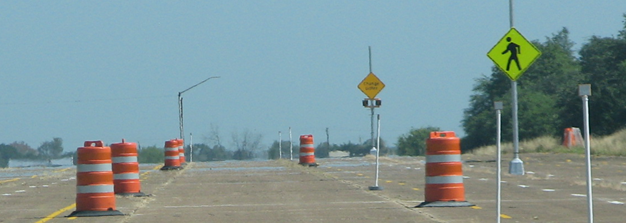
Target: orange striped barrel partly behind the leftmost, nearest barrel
125,169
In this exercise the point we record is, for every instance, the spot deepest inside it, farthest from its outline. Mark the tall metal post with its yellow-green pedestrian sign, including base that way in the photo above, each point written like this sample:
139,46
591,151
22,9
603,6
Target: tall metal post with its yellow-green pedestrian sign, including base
513,54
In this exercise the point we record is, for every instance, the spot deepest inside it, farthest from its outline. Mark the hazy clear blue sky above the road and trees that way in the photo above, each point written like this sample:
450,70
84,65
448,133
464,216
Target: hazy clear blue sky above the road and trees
107,70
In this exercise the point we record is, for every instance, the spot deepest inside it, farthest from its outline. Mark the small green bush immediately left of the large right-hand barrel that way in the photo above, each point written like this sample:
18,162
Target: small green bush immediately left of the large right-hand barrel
414,143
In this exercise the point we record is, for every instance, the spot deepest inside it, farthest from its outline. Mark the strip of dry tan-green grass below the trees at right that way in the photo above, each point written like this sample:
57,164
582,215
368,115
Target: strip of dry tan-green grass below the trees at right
611,145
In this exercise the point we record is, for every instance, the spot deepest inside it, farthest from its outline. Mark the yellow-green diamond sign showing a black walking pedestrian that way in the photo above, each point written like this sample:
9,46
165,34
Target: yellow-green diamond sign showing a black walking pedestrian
513,54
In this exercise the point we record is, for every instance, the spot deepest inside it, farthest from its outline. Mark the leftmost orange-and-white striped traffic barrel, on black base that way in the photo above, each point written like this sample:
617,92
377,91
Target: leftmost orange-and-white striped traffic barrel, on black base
94,181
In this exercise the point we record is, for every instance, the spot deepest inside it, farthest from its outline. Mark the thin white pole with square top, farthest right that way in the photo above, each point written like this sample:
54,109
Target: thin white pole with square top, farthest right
584,91
